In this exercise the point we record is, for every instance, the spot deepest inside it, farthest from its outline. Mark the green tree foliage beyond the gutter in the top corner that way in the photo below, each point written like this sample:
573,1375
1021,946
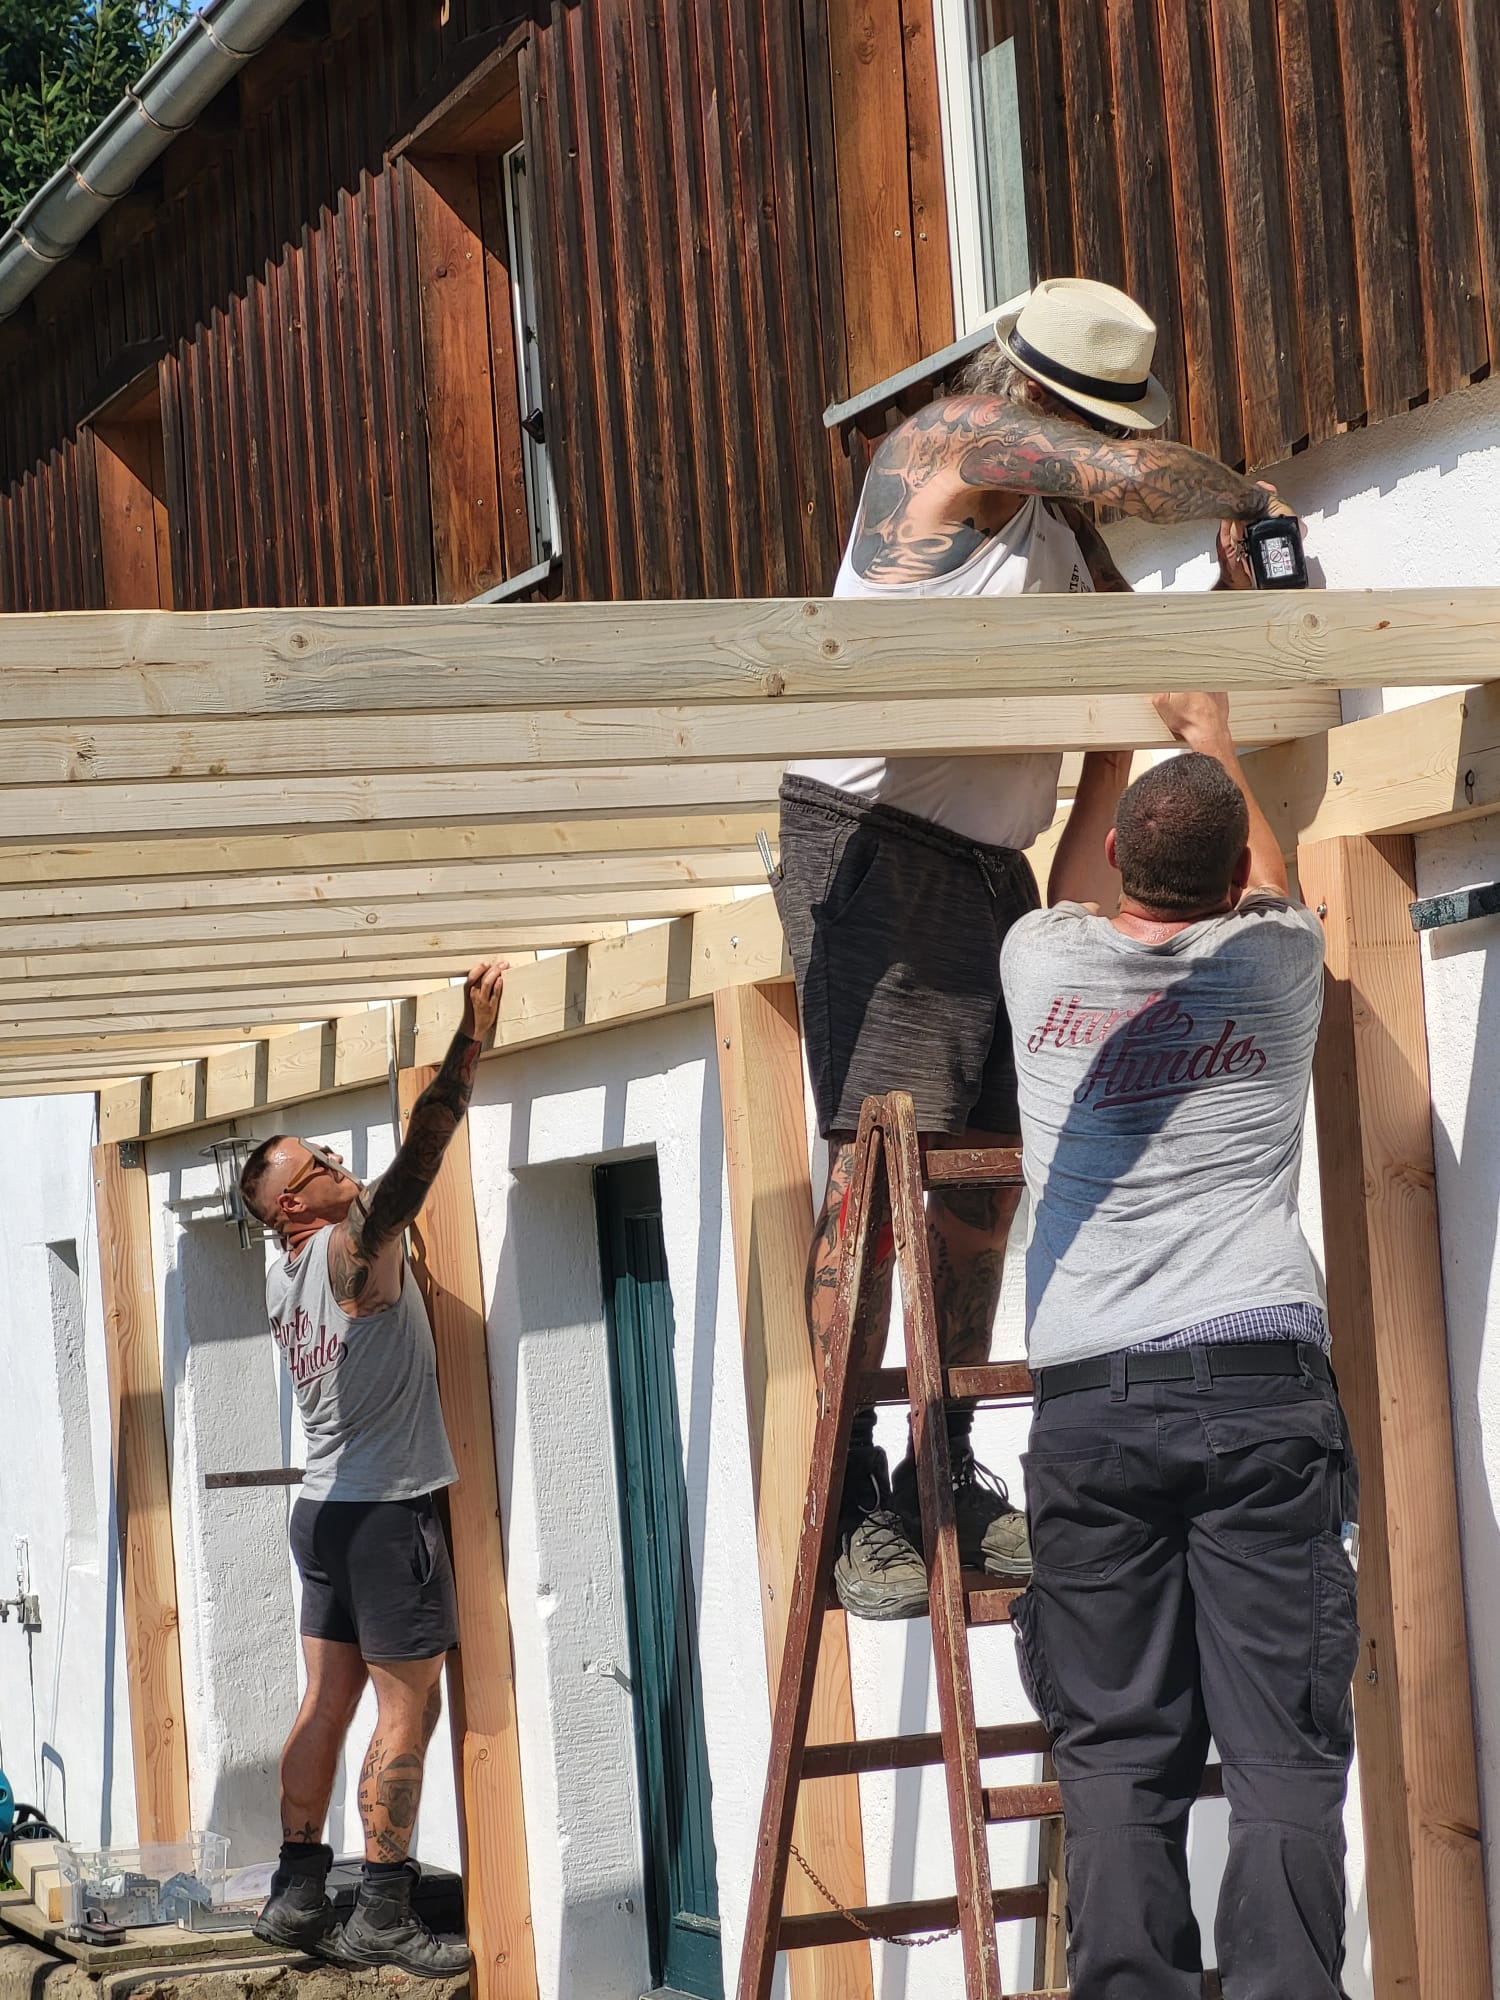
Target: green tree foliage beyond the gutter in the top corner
63,67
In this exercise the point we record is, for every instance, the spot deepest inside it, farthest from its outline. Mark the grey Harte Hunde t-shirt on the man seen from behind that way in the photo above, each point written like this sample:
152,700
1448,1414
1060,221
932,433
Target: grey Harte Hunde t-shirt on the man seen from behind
1163,1091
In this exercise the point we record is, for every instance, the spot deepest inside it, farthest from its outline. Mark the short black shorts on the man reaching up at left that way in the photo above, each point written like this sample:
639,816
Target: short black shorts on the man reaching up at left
377,1575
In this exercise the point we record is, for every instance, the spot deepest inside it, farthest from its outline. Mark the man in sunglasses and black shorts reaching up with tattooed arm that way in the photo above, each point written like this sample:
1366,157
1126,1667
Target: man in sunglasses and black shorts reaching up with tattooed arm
377,1581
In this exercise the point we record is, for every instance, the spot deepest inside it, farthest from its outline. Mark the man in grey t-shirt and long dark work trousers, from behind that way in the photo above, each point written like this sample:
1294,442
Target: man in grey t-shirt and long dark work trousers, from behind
1189,1471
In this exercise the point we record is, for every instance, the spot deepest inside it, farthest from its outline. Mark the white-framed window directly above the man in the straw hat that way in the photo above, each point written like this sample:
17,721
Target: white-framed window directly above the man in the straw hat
981,135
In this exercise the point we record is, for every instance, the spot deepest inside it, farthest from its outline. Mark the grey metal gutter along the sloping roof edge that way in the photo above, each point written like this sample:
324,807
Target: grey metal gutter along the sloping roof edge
167,101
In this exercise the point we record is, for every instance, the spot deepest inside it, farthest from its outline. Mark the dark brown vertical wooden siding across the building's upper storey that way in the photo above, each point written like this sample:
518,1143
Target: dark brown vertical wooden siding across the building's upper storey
739,217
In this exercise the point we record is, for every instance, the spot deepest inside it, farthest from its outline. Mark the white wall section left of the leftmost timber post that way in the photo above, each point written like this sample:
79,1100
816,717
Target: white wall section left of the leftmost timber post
65,1719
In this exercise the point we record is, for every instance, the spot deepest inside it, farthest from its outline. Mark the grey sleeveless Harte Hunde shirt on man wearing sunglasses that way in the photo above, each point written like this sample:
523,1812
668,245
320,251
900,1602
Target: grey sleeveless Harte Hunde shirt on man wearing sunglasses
367,1389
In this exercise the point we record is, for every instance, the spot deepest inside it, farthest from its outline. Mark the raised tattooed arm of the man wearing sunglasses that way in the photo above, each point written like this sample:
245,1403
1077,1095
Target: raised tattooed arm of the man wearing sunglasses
365,1257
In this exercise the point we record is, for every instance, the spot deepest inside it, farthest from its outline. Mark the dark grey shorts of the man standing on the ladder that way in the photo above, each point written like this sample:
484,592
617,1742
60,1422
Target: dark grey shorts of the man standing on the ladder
895,931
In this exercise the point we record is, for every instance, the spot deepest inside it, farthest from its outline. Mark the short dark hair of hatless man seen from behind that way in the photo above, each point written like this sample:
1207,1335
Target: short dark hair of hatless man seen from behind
1179,833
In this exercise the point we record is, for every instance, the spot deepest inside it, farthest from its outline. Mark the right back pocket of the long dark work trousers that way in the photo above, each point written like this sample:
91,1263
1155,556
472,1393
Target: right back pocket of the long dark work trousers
1277,1475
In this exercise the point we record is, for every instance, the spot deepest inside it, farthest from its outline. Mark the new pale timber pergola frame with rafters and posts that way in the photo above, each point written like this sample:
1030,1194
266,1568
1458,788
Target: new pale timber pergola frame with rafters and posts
227,837
